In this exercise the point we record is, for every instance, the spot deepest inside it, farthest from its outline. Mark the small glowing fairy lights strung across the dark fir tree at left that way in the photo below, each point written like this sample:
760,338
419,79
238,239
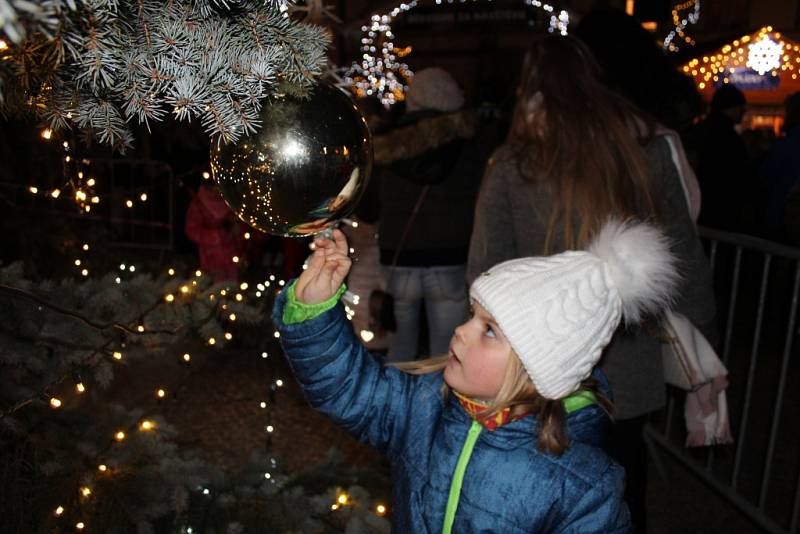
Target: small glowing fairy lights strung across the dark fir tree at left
179,293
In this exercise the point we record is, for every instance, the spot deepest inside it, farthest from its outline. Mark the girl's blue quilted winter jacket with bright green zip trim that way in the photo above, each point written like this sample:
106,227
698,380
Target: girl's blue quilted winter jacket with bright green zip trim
509,486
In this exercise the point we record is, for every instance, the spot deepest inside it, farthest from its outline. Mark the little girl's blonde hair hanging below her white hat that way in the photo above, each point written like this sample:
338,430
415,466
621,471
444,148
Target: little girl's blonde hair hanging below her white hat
518,393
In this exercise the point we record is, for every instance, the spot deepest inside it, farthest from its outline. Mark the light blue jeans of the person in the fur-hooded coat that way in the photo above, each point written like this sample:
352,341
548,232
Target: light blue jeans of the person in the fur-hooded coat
444,290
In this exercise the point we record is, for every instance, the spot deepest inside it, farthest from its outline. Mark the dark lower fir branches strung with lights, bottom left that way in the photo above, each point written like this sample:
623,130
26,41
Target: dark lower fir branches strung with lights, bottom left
73,458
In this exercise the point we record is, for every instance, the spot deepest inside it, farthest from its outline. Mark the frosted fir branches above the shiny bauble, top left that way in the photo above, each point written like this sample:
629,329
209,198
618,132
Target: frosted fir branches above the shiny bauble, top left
99,64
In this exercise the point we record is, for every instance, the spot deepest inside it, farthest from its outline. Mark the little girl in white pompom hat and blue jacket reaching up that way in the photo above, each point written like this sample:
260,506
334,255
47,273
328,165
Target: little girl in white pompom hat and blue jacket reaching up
517,446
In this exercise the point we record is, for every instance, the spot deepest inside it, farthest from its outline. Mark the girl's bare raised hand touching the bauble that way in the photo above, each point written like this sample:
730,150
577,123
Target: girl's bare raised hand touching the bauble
327,269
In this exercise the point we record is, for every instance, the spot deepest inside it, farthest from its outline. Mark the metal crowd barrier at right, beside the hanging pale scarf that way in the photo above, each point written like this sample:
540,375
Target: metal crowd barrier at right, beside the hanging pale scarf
756,285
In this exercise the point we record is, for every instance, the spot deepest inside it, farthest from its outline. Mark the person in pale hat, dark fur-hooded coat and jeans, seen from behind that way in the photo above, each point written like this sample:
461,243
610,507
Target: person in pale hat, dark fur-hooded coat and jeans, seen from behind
428,170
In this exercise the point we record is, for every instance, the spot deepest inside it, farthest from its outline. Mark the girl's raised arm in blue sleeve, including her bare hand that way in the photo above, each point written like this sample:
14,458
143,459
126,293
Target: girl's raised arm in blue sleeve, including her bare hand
338,375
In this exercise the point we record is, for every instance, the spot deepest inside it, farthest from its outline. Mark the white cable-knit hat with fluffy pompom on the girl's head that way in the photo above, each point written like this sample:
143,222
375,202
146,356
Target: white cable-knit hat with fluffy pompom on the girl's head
559,312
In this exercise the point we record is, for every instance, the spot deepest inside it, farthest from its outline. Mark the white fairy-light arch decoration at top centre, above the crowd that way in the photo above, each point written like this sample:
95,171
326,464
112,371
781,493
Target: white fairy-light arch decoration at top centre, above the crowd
381,71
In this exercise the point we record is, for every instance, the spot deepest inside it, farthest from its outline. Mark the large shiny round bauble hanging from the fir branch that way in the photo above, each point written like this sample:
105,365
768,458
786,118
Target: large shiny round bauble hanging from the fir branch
306,168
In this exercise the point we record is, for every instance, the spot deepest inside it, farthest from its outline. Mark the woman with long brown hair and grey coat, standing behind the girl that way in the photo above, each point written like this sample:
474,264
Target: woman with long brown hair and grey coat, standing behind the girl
577,154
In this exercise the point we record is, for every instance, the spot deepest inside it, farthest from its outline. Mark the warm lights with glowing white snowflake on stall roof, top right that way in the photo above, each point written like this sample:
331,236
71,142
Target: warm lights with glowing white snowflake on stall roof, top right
765,52
